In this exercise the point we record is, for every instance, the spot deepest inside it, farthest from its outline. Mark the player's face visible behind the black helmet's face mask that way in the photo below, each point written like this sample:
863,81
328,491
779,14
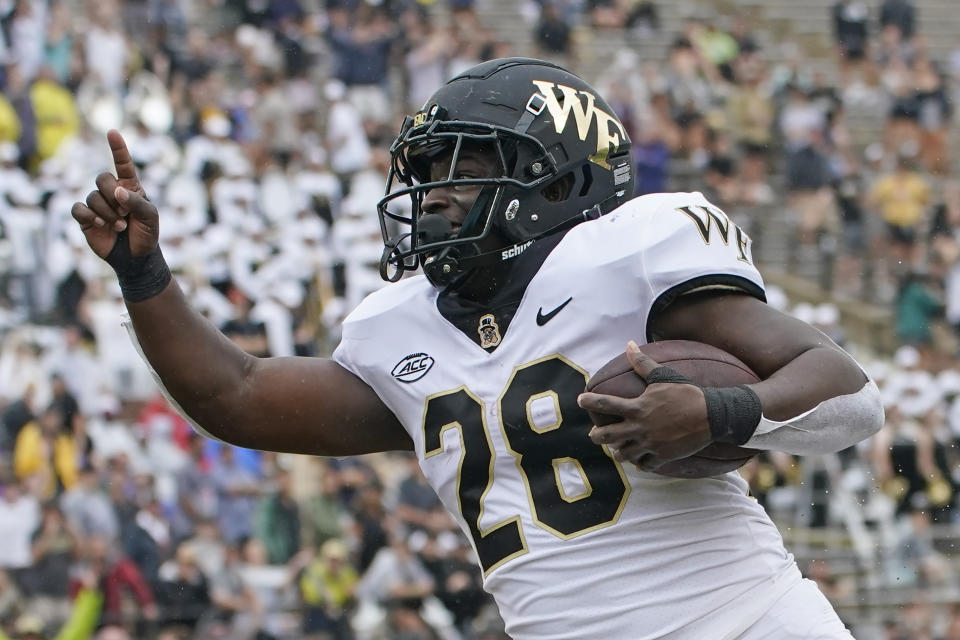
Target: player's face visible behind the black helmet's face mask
454,202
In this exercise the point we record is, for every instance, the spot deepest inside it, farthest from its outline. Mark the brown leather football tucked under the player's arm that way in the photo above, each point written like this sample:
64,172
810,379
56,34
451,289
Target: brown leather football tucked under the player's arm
704,364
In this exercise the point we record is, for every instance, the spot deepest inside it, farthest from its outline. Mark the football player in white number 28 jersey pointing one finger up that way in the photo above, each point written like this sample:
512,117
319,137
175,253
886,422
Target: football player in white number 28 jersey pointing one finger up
511,191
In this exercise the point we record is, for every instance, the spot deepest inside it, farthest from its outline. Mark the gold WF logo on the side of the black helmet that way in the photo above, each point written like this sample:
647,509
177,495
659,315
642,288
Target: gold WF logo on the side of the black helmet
608,137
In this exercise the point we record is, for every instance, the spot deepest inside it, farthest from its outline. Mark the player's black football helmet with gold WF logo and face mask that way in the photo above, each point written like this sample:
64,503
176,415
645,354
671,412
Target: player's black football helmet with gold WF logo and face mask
542,124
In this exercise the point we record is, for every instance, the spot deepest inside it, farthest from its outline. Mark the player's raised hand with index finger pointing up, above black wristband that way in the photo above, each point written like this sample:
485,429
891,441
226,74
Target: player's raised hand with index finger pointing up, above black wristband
119,208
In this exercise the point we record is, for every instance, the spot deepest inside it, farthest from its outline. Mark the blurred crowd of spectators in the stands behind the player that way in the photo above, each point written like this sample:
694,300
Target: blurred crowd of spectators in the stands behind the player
261,131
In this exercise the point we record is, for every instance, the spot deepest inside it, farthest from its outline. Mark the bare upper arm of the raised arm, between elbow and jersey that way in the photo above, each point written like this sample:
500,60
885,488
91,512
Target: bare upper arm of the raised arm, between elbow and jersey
315,406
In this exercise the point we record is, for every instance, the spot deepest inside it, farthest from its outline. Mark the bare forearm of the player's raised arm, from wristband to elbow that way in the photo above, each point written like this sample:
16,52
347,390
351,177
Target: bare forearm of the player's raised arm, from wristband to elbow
199,367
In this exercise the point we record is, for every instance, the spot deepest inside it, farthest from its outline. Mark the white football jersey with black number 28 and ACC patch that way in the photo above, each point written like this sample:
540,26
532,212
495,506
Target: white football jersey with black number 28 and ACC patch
573,544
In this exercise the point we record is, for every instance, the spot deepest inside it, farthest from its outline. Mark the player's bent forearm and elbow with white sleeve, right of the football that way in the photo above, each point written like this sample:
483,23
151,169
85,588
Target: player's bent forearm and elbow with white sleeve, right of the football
820,402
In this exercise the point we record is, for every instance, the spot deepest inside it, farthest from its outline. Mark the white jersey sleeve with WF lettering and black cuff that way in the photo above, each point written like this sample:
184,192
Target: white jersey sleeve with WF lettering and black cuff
692,245
